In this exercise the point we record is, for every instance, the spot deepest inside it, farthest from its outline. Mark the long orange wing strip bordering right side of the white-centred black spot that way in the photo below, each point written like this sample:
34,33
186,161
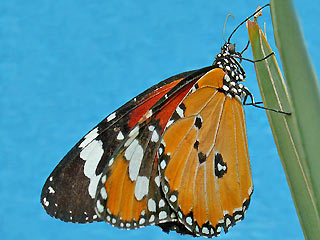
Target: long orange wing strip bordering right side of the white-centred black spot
226,145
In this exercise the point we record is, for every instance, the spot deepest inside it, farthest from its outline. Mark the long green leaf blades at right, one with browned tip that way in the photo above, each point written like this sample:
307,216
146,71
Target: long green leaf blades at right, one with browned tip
301,164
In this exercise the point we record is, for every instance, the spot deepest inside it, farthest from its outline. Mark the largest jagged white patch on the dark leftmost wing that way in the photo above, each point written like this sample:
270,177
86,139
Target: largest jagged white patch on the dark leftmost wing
92,154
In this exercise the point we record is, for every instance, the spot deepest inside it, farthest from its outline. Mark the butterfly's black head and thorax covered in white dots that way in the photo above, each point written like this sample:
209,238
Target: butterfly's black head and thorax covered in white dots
227,61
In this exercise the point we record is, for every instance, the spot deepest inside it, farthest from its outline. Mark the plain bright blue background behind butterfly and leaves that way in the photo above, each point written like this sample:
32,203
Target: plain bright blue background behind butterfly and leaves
65,65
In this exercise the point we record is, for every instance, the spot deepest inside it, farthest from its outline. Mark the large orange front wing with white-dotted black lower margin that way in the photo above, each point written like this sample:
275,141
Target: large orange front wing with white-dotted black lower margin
203,159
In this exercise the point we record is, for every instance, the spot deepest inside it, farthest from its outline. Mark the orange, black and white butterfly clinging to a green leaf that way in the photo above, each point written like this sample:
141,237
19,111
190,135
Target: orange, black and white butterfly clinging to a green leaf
175,156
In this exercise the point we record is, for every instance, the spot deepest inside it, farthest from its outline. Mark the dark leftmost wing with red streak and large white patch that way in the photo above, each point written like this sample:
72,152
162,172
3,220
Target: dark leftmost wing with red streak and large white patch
70,190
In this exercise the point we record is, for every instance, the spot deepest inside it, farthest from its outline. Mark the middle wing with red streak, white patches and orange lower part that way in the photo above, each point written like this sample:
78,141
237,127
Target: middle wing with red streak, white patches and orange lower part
129,194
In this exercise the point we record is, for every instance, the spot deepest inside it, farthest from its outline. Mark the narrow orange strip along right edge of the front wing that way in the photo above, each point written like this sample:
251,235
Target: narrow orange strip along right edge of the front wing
242,152
